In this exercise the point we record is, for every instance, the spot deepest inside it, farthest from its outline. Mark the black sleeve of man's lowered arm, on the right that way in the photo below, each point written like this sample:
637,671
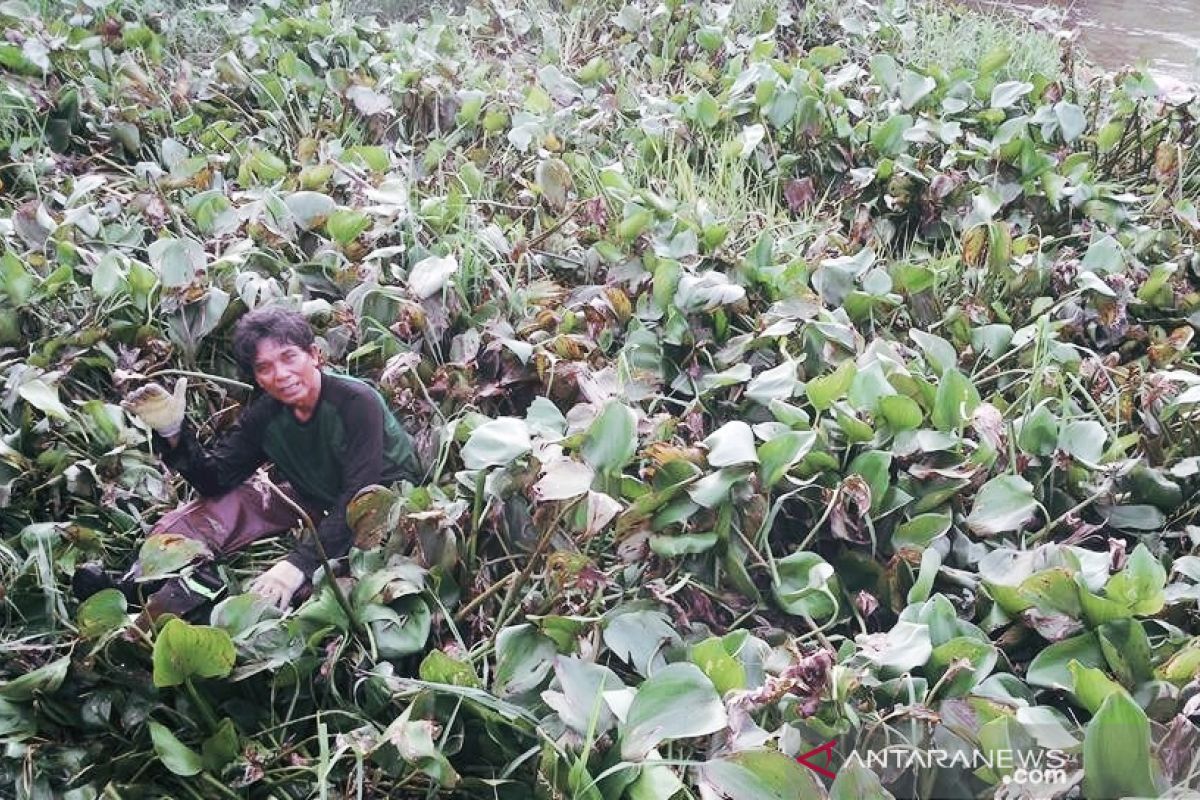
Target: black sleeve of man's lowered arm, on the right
362,466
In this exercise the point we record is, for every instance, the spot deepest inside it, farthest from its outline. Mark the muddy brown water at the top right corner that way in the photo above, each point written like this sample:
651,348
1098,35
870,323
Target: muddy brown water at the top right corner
1163,35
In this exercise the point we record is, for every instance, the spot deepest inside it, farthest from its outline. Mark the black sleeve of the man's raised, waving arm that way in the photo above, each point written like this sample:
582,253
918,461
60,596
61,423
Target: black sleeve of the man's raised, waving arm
232,460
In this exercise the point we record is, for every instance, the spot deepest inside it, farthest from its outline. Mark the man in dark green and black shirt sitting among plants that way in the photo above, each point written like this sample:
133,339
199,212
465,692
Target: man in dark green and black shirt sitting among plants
328,436
